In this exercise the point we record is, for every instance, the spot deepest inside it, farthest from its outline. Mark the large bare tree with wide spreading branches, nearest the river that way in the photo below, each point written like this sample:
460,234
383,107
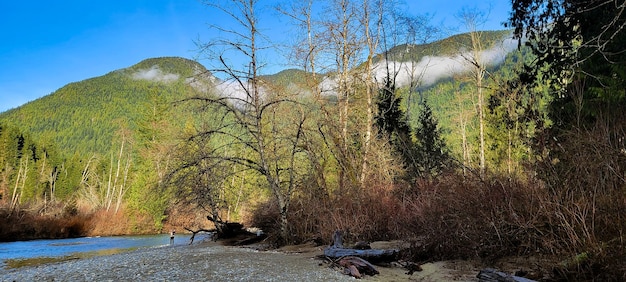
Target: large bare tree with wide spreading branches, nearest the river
251,116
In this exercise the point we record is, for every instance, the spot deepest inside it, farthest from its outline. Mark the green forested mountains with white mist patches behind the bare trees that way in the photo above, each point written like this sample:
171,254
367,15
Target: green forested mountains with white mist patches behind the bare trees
84,126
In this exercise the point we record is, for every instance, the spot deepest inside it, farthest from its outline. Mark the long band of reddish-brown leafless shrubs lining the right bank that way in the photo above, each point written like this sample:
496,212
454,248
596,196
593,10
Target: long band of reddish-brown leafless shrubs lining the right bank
571,208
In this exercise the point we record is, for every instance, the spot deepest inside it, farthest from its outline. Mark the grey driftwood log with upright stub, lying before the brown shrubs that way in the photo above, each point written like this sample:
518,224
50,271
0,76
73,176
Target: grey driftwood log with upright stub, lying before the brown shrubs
372,255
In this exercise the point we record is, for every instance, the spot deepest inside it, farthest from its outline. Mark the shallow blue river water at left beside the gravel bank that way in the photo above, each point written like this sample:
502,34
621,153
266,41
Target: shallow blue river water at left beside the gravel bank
23,253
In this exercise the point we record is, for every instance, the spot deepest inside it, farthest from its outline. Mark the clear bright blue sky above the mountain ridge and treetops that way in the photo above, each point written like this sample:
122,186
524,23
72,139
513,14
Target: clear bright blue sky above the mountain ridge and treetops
48,44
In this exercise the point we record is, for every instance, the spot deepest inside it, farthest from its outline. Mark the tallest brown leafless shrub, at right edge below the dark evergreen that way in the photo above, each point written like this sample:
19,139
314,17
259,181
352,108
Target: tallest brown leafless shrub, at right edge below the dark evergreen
585,173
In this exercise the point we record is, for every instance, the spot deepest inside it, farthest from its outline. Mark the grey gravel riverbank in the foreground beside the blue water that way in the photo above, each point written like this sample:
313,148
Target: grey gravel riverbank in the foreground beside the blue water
199,262
